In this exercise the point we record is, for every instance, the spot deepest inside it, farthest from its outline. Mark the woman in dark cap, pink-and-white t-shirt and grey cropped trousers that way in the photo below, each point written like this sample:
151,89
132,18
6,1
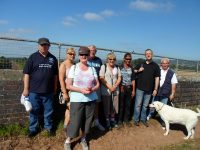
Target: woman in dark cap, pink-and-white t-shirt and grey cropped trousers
82,82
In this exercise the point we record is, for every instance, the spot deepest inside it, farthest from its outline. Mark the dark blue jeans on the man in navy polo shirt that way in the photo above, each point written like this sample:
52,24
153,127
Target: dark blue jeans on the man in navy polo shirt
38,102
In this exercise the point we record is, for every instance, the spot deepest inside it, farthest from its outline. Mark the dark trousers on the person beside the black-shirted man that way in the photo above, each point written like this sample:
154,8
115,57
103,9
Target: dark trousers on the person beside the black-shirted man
124,103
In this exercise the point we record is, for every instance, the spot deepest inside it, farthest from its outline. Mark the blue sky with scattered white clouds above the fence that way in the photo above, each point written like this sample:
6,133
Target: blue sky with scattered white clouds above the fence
169,27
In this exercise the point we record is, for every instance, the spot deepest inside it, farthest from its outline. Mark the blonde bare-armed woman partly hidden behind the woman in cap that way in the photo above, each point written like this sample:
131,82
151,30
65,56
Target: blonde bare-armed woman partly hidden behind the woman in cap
63,73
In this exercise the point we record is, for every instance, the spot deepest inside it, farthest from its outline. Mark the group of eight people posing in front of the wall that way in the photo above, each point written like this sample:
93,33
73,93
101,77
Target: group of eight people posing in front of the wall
88,82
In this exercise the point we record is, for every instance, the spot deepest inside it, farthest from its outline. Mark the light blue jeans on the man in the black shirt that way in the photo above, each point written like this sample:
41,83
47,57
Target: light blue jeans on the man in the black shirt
141,103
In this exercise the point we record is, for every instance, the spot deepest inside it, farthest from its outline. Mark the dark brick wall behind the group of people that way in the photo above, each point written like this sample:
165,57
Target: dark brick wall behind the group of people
11,86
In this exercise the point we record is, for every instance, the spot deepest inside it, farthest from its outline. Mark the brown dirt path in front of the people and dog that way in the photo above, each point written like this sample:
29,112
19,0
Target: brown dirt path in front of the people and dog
126,138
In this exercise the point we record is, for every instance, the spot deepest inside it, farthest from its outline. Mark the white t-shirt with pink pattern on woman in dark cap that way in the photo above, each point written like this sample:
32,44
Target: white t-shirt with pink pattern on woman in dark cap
82,79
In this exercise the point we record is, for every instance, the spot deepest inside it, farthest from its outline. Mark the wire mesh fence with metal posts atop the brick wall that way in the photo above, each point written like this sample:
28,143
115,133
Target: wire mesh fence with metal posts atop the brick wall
14,53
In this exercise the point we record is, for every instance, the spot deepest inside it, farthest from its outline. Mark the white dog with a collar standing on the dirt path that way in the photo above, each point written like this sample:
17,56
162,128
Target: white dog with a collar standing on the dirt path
170,114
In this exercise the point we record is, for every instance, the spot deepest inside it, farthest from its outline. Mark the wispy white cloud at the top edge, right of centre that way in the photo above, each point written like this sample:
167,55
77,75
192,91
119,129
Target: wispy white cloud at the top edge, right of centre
149,5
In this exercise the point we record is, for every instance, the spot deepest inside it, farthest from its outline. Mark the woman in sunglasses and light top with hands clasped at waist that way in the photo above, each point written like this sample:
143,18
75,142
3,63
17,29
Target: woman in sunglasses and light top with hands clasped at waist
110,76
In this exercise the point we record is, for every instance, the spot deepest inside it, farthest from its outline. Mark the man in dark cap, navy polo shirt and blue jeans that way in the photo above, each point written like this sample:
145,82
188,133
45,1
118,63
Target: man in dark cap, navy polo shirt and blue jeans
40,82
